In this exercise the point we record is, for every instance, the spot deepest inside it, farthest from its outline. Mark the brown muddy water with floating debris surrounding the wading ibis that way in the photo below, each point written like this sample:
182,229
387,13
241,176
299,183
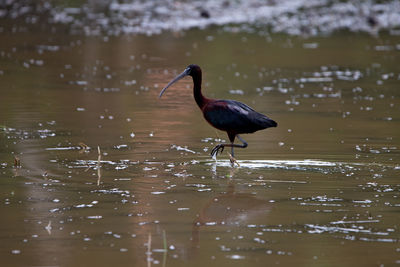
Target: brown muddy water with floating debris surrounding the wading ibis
321,189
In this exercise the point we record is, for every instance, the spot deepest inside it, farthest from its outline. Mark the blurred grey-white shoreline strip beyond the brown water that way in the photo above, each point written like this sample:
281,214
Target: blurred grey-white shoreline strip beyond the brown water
293,17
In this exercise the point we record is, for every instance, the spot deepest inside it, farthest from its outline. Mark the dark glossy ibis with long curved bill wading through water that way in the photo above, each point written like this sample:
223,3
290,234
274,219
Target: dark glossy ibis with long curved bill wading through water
230,116
